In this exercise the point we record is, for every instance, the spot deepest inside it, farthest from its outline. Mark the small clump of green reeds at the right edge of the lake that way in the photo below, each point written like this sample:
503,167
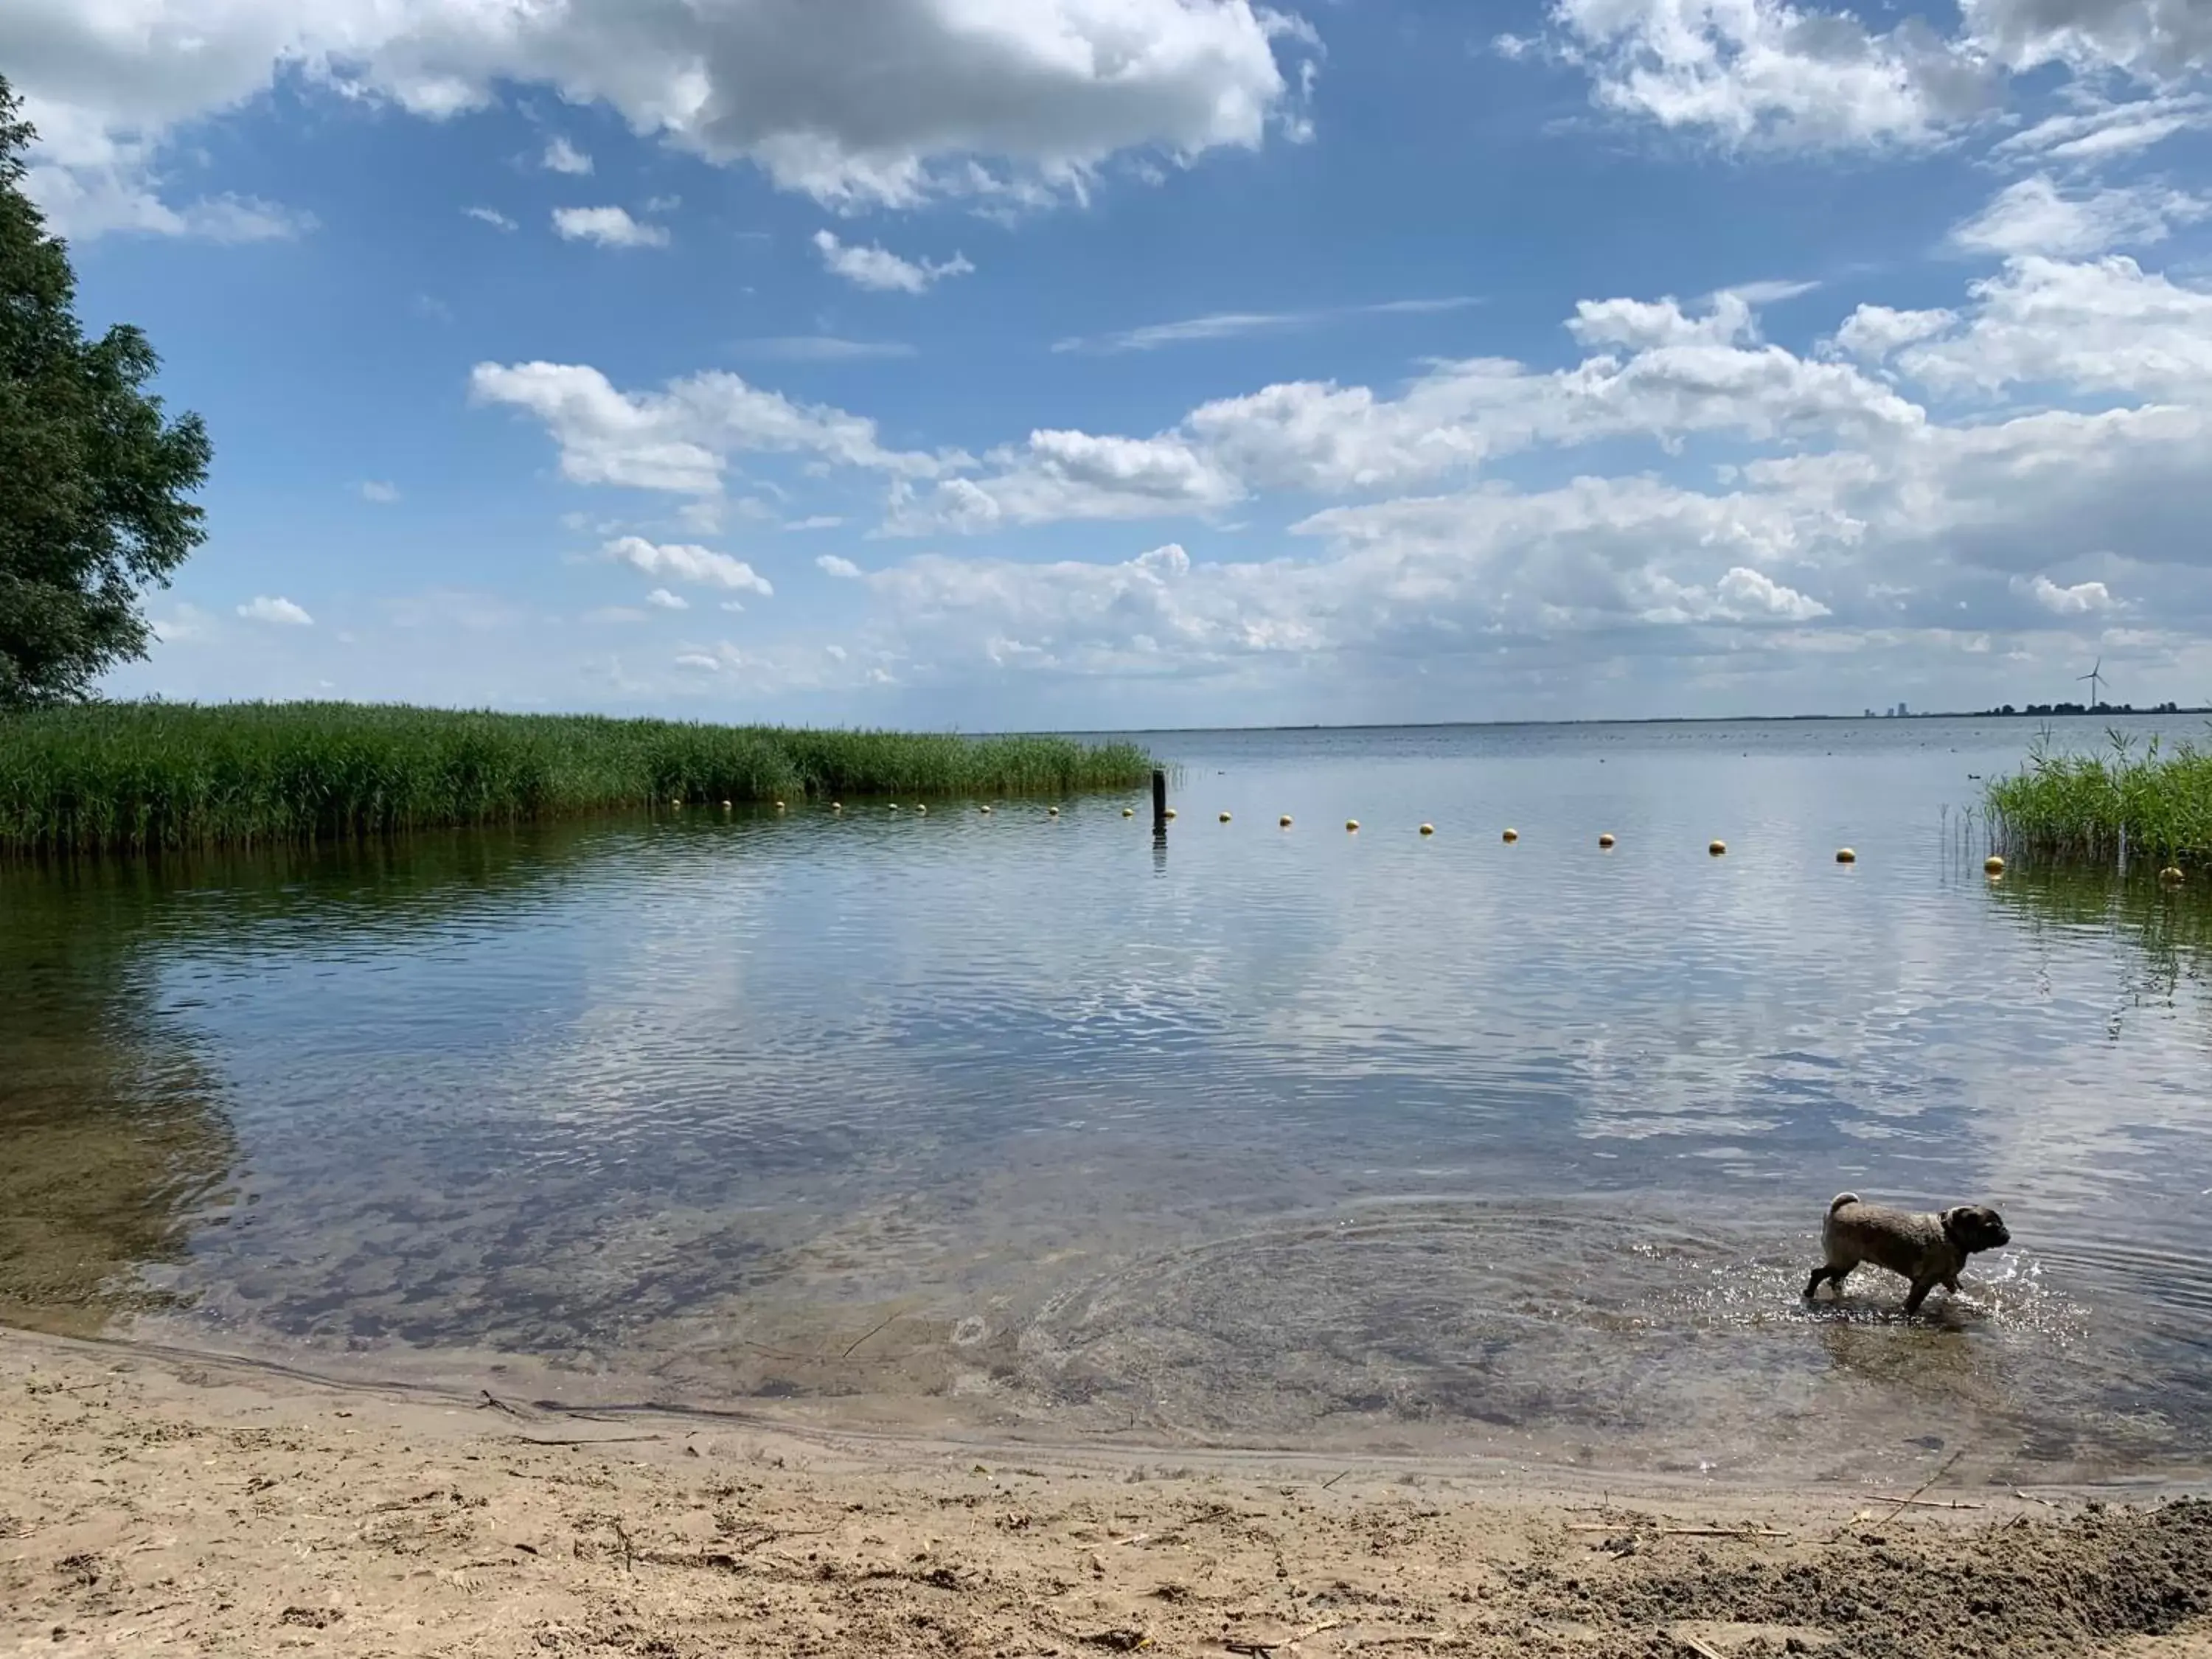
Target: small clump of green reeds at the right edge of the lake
2087,808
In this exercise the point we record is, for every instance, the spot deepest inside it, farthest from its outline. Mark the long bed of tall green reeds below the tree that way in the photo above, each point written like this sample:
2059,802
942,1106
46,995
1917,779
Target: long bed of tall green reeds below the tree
134,778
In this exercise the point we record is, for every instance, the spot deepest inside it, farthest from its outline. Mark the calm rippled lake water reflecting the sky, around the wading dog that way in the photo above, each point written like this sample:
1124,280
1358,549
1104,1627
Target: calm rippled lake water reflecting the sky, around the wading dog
1280,1138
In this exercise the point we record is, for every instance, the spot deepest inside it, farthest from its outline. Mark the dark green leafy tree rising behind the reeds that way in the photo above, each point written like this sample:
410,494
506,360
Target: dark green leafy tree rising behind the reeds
92,479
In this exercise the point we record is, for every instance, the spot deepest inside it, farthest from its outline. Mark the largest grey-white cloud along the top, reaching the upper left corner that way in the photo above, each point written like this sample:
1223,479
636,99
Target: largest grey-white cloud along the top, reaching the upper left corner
893,103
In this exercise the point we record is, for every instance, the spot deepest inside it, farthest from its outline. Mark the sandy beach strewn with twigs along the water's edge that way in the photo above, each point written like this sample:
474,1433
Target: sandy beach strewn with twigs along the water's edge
160,1503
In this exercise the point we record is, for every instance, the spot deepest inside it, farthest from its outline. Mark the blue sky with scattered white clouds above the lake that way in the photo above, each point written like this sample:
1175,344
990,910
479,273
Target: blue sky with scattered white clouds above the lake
1160,362
